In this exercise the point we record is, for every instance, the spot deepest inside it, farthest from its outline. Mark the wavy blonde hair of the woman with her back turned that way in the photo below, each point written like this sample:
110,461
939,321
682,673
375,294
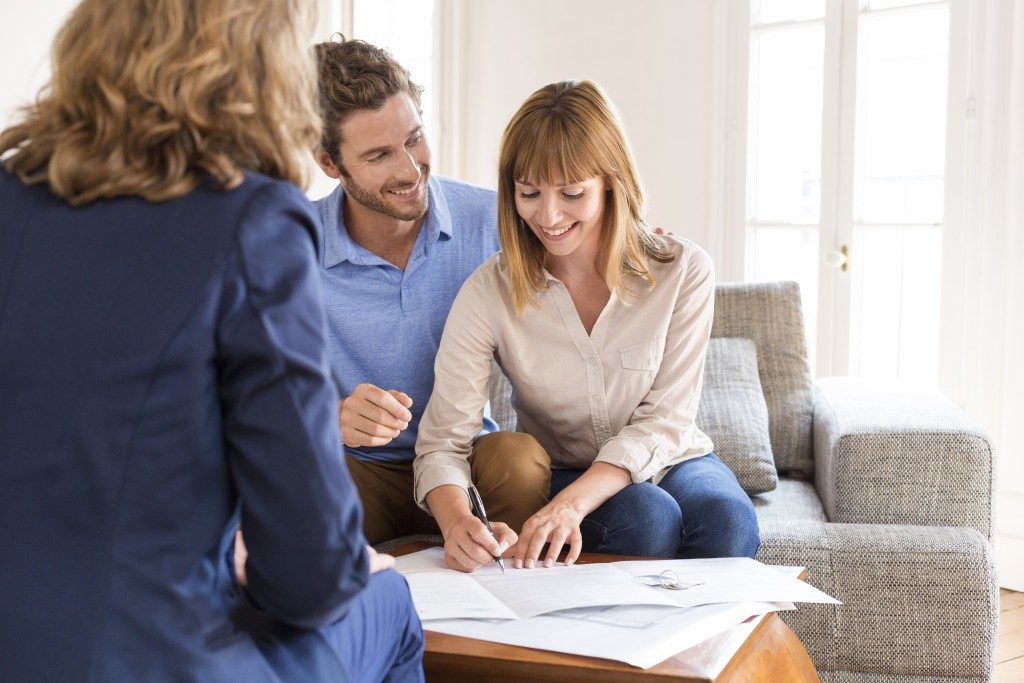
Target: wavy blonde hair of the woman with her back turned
150,97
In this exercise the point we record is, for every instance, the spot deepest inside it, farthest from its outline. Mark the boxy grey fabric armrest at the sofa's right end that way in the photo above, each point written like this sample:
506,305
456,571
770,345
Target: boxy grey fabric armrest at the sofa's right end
888,455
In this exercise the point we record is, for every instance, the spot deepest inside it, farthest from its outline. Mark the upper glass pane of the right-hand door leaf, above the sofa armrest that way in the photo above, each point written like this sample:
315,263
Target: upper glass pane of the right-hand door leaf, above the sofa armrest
902,116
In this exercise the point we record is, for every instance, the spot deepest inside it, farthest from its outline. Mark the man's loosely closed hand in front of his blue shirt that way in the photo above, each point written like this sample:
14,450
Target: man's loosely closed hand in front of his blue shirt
372,416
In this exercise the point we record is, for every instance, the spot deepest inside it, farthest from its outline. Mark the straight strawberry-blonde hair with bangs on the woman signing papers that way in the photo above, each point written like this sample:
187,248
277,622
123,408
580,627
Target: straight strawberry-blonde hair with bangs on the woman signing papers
572,130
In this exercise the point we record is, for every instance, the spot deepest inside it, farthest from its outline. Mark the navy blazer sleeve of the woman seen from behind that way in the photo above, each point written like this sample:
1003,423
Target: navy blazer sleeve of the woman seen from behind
301,514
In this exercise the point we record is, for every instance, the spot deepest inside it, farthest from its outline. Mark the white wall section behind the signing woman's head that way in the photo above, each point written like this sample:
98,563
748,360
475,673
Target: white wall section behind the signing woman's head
653,58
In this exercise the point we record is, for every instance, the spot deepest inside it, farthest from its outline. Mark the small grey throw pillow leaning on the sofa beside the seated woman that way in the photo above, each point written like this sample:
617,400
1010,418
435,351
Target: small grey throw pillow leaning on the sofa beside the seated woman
734,414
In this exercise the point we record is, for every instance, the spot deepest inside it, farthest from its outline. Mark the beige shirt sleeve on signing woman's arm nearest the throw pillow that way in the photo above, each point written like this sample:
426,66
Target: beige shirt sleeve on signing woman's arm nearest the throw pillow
663,426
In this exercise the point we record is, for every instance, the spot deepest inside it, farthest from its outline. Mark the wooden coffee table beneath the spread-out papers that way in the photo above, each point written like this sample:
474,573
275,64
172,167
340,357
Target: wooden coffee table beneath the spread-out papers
762,649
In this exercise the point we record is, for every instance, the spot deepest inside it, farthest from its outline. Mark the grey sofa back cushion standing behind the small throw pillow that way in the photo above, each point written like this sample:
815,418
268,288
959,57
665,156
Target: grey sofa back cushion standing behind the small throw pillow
771,315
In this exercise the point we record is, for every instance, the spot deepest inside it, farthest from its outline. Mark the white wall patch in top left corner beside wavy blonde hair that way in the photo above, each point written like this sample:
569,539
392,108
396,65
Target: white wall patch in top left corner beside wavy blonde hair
27,31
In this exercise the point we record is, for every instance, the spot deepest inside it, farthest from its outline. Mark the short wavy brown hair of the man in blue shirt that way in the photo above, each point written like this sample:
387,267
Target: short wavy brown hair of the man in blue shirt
355,75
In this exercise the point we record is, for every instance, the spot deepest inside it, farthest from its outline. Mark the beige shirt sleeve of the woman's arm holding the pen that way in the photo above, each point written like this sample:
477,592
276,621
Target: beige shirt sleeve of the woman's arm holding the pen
462,371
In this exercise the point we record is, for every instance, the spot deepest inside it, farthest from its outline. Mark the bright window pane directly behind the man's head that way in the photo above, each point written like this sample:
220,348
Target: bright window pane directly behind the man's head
406,29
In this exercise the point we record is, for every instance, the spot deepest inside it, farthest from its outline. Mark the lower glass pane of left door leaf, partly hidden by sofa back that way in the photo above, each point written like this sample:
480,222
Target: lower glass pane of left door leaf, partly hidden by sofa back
790,254
